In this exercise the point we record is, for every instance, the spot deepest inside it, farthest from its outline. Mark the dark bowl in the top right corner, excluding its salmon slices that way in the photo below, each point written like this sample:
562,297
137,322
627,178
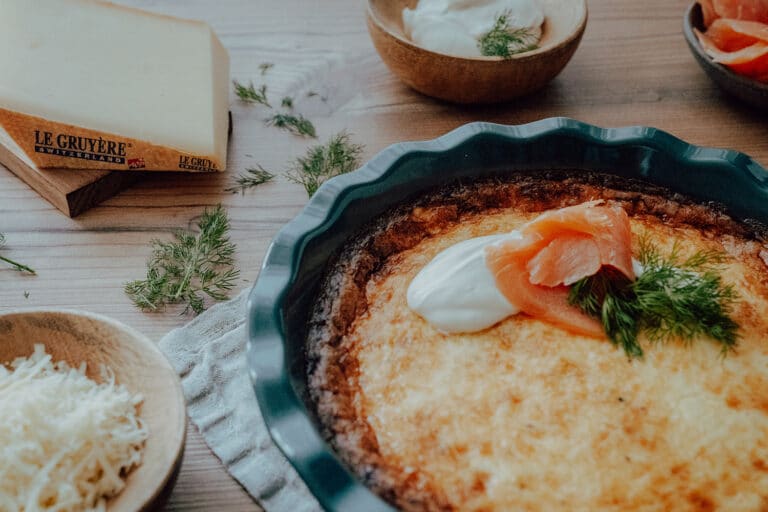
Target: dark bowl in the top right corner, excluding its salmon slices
744,88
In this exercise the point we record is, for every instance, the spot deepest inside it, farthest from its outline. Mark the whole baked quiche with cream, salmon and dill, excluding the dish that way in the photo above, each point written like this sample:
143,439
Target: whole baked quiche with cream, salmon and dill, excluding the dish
557,341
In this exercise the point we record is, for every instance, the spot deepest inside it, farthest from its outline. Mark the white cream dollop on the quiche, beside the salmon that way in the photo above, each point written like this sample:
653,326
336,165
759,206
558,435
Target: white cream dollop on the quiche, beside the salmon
456,291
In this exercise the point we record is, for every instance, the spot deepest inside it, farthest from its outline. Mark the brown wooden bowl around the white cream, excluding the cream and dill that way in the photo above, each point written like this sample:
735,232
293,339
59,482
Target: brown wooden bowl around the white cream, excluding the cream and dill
480,79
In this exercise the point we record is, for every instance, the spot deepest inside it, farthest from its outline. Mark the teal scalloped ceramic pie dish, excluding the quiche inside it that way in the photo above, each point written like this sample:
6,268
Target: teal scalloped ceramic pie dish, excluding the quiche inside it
282,298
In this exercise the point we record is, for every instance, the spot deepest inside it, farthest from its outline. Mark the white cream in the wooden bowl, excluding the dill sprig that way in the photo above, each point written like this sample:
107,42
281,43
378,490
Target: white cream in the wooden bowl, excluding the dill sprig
454,27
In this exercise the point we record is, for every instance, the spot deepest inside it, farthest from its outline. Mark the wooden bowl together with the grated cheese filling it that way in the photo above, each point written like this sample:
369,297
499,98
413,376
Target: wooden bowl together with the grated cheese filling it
93,415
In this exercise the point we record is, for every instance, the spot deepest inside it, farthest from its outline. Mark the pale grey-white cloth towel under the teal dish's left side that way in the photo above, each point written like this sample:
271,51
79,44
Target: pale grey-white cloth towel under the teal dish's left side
209,355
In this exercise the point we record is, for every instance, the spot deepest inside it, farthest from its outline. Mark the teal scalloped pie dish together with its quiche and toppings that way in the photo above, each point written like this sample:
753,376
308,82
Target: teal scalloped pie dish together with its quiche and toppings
549,316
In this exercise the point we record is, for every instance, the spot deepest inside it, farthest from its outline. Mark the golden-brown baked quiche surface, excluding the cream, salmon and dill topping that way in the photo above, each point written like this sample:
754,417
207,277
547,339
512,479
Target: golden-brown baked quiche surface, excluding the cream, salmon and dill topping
363,341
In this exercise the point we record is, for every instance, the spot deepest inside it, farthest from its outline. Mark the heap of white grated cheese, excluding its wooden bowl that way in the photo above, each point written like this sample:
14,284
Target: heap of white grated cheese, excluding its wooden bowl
65,440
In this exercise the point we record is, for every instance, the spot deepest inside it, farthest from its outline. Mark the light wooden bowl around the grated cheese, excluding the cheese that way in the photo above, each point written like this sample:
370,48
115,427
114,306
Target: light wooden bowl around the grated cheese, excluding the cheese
75,337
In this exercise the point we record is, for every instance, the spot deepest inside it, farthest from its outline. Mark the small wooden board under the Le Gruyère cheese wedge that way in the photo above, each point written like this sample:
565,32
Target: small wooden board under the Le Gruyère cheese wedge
71,191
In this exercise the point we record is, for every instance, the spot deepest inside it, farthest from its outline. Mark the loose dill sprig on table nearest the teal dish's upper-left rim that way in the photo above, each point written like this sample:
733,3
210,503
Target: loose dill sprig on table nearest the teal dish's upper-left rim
322,162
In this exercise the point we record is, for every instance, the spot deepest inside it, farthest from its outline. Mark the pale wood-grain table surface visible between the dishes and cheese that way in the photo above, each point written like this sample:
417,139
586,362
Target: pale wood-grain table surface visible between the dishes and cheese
632,68
